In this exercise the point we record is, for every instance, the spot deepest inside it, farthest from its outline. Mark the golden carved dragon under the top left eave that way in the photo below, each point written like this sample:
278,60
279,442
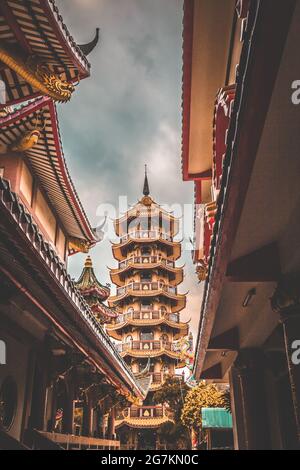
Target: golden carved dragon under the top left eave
38,75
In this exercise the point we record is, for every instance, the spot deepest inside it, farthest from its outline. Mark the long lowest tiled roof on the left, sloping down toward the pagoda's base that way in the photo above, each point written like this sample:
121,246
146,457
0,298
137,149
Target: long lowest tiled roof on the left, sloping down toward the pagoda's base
38,273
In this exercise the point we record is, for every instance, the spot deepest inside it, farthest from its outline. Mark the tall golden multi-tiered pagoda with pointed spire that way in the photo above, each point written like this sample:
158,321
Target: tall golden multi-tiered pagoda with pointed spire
148,325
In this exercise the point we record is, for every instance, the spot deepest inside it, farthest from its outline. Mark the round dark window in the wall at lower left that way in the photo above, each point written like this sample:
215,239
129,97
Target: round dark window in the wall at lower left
8,403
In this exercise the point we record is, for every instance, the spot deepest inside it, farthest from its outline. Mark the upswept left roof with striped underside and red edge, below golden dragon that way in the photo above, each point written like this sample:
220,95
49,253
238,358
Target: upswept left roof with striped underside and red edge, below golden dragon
48,163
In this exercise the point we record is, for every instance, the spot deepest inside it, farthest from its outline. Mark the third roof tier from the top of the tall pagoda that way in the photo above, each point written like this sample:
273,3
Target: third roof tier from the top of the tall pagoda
176,273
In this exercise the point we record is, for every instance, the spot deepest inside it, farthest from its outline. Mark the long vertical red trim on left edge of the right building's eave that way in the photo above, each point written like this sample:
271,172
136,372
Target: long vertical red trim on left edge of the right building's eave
188,29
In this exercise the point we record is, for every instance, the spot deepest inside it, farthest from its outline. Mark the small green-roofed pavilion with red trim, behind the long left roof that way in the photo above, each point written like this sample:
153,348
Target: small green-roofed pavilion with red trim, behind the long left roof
95,293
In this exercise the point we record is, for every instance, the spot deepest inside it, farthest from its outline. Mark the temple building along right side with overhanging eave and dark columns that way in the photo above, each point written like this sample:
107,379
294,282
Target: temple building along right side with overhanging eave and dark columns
240,148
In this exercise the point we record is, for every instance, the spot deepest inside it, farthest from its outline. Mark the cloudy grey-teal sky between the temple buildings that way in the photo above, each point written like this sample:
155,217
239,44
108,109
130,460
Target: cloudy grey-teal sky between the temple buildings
126,114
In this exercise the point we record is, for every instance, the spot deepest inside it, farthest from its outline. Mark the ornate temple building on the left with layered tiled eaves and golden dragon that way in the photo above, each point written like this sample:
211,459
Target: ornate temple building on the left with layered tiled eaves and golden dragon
60,375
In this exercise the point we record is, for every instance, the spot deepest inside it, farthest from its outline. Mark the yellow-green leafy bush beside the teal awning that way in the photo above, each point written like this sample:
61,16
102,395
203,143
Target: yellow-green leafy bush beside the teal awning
202,396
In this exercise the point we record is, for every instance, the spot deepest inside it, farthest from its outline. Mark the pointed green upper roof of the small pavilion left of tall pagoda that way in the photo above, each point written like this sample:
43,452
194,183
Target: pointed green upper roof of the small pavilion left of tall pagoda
89,284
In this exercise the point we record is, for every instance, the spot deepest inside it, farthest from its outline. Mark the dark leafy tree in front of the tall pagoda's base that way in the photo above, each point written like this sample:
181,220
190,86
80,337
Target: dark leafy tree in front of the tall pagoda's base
173,393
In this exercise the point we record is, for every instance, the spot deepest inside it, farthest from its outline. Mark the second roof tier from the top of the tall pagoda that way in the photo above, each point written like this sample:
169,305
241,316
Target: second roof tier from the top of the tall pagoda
120,250
